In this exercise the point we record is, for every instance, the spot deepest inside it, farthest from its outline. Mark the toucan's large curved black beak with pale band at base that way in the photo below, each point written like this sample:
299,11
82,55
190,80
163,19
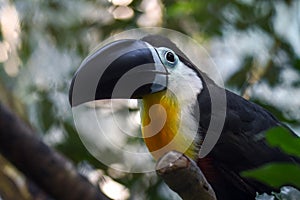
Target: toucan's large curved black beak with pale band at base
120,70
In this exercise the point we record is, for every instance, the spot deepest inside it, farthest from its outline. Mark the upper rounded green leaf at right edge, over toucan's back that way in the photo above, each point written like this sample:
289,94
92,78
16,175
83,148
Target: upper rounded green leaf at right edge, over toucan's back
282,138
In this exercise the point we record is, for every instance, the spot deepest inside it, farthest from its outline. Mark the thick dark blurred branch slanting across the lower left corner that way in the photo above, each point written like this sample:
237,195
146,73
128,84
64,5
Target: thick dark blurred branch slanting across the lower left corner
50,170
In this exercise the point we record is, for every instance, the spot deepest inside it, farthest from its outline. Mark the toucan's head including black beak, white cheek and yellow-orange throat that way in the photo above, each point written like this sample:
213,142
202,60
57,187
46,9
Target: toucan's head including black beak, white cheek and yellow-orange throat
152,69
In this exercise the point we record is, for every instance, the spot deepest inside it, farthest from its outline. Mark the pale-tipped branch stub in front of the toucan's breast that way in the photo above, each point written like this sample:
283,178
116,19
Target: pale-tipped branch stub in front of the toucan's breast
183,176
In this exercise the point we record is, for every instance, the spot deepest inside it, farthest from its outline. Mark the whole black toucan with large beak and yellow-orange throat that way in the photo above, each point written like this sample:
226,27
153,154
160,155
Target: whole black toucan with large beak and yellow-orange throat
157,73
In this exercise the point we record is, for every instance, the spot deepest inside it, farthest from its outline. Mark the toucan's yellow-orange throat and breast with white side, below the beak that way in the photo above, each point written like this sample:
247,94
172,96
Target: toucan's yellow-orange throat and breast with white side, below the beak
166,124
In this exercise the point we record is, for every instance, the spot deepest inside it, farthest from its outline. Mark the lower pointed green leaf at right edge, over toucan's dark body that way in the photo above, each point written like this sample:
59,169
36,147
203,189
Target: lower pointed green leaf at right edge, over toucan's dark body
276,174
